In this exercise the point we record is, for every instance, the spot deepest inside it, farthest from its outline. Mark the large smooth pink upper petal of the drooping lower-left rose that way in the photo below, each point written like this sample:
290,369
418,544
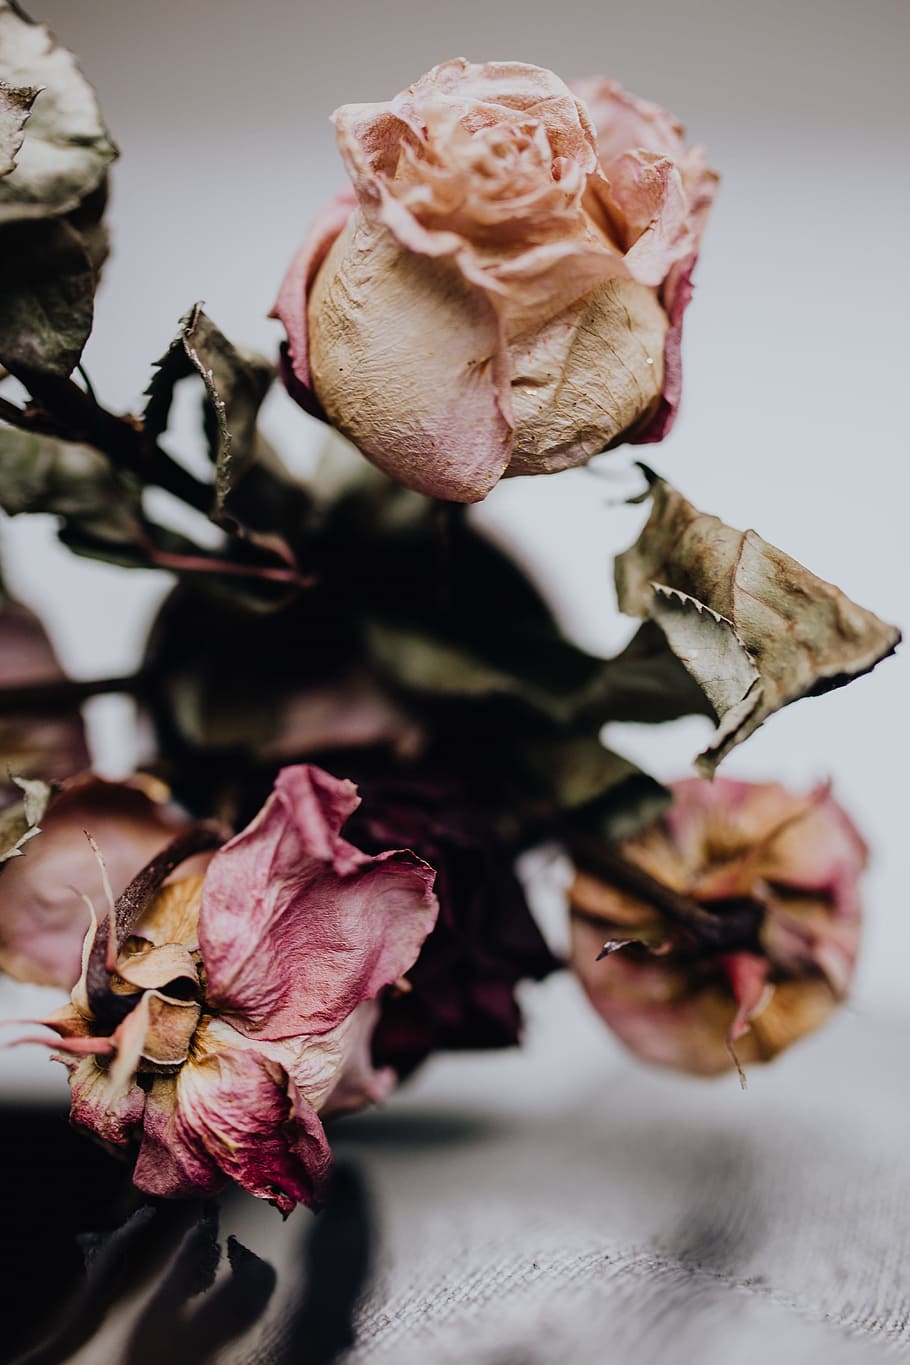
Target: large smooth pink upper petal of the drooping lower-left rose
298,928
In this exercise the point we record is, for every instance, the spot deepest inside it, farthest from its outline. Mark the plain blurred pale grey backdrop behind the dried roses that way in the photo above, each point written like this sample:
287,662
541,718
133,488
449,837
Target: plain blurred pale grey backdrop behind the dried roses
796,356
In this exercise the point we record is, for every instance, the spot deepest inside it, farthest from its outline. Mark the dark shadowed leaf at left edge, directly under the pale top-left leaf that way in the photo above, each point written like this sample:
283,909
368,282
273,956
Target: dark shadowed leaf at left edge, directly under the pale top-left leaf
47,297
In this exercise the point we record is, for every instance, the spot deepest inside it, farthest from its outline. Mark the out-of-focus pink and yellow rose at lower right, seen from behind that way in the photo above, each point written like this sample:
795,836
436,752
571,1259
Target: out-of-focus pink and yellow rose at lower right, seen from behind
728,930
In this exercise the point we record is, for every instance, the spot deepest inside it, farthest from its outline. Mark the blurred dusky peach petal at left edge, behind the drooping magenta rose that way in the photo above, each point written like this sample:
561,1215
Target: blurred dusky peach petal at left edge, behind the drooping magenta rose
43,914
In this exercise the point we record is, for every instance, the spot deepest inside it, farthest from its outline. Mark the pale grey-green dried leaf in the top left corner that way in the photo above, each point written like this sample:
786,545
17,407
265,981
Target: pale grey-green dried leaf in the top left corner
68,149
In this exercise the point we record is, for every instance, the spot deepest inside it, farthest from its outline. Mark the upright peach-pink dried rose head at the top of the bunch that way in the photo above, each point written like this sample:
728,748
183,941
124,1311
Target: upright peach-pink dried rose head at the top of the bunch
503,289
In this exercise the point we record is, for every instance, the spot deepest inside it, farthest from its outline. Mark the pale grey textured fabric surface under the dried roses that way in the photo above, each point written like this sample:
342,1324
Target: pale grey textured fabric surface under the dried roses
568,1205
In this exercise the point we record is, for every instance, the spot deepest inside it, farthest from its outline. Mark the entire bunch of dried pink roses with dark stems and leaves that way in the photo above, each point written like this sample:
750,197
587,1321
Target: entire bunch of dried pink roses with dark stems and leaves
248,945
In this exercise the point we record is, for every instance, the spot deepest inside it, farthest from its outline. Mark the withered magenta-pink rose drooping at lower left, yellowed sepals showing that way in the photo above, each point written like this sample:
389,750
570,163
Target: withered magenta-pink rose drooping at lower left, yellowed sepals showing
238,1005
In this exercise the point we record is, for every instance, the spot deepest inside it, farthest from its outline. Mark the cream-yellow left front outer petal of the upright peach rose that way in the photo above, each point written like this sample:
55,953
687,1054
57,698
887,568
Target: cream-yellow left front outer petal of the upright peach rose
430,403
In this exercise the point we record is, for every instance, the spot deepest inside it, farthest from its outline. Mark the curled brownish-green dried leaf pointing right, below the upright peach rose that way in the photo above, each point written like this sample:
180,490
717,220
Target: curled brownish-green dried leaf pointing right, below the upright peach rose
754,629
